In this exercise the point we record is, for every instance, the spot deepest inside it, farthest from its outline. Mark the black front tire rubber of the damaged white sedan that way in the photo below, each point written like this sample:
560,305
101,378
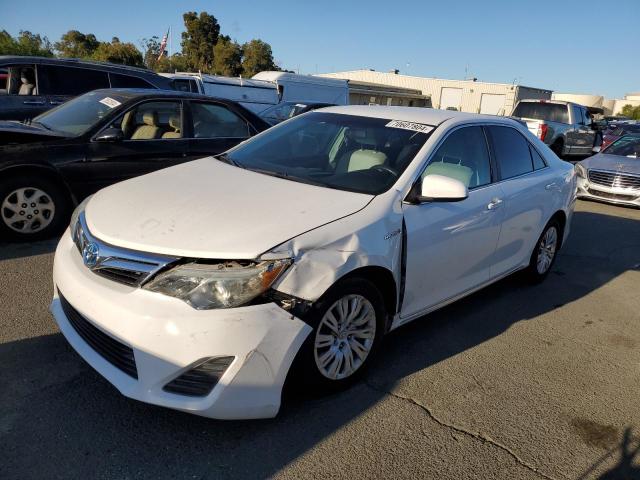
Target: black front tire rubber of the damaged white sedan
305,371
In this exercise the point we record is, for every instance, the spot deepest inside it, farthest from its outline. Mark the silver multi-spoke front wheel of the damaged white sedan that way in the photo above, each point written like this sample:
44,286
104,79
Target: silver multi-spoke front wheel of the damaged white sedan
345,336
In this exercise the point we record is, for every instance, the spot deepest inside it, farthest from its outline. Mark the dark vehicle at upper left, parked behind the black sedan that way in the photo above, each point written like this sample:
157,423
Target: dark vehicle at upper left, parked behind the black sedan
33,85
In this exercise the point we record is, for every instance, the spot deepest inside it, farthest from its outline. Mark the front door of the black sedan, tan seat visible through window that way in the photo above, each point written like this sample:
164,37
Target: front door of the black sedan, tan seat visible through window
153,139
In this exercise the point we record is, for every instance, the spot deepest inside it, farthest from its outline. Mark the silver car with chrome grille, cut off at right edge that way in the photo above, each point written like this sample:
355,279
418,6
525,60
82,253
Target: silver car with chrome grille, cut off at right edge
613,175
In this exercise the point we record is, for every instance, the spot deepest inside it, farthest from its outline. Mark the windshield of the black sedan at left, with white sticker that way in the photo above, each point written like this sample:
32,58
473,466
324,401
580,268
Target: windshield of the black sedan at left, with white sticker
78,115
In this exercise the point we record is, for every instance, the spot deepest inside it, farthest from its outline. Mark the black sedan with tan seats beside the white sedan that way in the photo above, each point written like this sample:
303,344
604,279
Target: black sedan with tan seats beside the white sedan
100,138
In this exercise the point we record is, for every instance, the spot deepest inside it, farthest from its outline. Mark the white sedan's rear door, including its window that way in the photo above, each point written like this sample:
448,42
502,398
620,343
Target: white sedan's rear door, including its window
527,185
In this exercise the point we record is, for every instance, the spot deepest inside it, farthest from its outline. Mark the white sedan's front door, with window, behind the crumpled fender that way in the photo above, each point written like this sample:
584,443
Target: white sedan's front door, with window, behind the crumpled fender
450,245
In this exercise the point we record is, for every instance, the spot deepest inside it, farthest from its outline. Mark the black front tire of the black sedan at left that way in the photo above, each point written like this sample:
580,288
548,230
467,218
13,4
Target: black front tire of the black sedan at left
56,222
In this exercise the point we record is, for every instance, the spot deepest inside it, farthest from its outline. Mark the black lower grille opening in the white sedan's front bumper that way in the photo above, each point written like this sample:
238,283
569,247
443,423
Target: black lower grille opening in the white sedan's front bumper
117,354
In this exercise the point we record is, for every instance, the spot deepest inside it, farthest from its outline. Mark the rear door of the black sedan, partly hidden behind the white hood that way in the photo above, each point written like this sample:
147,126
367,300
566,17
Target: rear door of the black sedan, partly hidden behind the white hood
215,128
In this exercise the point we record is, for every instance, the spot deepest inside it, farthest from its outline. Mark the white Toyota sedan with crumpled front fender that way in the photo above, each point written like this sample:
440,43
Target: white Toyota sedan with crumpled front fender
203,286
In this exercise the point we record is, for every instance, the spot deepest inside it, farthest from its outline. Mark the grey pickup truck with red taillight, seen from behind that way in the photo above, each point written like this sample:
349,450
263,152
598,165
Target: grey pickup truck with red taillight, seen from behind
565,126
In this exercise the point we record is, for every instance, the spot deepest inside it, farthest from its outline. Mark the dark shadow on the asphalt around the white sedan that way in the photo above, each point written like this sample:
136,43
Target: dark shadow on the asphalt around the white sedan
61,419
